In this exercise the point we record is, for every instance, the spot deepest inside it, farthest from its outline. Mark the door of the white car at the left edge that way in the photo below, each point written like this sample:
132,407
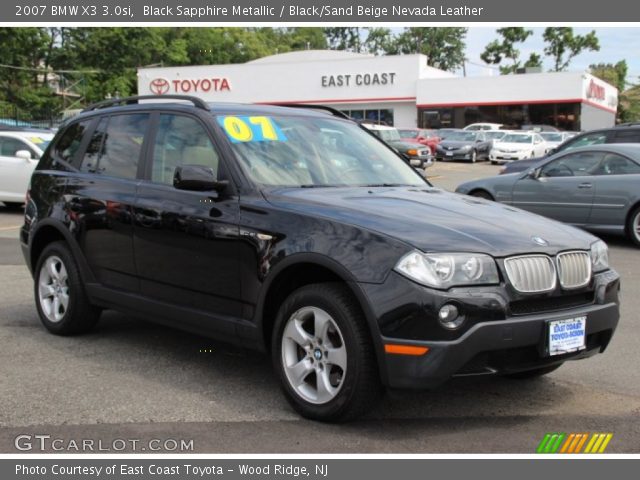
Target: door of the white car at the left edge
15,172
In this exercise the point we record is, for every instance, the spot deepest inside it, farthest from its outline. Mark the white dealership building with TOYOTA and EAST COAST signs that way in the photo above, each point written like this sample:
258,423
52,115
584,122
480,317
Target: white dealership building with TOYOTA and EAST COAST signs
398,90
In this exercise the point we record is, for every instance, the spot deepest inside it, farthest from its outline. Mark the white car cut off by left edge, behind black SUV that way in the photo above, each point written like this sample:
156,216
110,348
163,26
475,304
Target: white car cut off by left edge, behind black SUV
19,154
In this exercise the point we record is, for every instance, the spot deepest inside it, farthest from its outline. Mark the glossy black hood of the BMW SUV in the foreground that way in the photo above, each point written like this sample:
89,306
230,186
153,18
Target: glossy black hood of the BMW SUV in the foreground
431,219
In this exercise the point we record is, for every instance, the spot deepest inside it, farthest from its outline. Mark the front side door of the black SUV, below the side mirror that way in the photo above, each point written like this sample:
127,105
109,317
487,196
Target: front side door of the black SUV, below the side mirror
186,242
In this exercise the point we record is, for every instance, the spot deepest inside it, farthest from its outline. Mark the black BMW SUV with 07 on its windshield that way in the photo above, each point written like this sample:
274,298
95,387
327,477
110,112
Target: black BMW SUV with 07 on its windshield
295,231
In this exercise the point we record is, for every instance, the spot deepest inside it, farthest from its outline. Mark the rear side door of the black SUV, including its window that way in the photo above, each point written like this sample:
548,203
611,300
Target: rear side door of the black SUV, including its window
100,197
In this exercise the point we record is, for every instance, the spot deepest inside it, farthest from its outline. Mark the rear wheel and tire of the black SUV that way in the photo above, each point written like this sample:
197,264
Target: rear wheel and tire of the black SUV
61,300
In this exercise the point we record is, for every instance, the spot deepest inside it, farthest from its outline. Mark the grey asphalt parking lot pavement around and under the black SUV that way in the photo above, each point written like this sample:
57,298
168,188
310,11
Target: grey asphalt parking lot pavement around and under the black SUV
132,379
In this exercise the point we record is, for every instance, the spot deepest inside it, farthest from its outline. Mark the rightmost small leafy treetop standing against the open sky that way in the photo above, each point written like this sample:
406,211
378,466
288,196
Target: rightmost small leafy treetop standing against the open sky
563,45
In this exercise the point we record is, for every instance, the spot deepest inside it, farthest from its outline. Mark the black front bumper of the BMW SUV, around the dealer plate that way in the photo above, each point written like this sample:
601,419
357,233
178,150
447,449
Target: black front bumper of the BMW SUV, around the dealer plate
500,336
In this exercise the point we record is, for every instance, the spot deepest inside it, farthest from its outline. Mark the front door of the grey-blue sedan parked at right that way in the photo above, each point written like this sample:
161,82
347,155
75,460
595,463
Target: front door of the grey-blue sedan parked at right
563,189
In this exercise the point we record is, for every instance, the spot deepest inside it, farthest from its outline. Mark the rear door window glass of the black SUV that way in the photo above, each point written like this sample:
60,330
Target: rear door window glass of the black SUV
115,146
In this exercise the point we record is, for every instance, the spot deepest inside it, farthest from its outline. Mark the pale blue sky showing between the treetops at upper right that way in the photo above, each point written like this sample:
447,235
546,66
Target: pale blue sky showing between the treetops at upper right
616,43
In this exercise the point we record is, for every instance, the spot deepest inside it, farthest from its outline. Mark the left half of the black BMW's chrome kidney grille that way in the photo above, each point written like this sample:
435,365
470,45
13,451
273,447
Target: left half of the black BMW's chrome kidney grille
531,273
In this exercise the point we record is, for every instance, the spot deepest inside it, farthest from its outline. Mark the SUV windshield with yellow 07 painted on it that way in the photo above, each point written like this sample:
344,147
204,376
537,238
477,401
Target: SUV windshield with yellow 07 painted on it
313,152
